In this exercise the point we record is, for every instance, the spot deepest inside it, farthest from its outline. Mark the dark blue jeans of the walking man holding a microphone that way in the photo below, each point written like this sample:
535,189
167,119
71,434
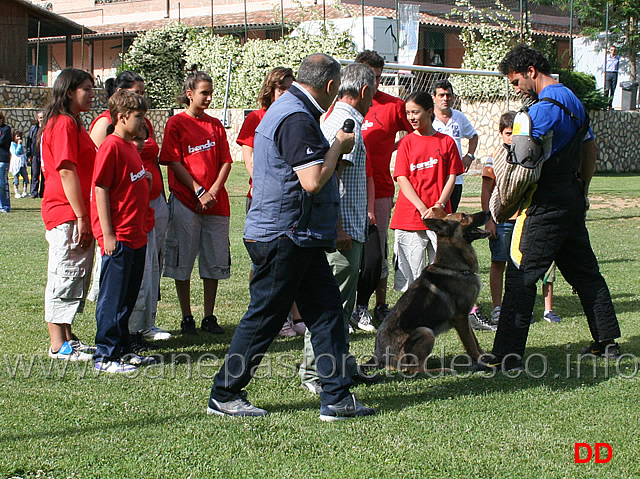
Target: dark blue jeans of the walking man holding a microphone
286,273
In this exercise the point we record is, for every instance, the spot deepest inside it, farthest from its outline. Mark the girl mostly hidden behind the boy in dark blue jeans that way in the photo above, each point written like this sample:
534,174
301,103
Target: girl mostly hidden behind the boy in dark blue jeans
142,324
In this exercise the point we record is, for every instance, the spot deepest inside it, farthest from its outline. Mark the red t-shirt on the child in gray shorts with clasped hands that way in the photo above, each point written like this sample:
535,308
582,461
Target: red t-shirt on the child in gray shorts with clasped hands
201,145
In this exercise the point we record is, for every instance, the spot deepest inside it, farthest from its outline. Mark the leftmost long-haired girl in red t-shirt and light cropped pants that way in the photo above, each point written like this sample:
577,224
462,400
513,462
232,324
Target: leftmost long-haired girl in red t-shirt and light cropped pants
68,156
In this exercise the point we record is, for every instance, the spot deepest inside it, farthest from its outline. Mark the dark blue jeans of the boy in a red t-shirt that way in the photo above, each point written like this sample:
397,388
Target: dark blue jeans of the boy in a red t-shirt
120,279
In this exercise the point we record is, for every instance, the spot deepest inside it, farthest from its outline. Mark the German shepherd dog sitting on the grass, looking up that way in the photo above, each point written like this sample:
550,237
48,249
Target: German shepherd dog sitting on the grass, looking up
439,299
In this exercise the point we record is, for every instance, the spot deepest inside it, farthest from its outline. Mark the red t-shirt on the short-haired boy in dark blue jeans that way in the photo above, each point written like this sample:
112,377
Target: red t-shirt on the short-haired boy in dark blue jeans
120,169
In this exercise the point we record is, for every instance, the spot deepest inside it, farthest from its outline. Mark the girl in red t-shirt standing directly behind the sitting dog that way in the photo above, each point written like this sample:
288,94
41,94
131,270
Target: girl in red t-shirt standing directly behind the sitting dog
426,167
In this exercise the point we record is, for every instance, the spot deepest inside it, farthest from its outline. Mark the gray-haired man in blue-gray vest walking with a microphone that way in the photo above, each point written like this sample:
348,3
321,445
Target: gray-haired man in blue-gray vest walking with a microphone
292,221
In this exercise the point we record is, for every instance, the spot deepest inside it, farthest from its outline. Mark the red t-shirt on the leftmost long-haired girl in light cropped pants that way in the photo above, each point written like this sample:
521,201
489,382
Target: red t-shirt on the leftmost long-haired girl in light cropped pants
63,141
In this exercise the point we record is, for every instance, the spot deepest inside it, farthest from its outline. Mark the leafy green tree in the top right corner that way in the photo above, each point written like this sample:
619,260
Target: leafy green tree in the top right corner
624,19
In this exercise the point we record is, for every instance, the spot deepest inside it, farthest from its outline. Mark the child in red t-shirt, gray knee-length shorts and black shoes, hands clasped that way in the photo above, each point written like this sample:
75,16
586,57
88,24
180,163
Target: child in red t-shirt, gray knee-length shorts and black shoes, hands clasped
196,149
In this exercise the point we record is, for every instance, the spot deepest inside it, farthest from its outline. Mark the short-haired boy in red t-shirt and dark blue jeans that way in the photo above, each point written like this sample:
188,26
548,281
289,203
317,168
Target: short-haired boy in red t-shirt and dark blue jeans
121,219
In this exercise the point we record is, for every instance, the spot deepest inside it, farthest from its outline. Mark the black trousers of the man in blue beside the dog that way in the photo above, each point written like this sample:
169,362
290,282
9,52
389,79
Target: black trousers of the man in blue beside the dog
552,228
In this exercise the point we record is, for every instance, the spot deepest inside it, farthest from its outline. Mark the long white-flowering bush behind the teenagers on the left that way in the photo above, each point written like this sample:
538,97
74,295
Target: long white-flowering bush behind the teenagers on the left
162,57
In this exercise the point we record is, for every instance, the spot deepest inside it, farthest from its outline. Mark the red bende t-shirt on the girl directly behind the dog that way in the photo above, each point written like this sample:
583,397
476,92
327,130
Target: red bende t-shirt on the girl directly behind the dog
427,161
